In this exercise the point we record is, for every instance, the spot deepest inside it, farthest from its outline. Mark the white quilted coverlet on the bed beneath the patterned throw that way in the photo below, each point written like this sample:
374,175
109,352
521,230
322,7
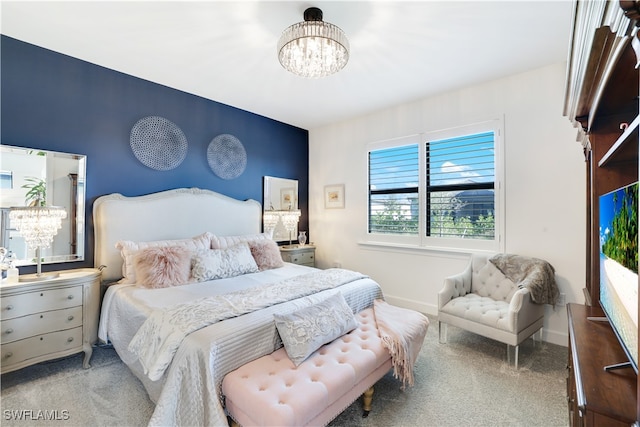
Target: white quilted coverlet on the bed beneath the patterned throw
189,391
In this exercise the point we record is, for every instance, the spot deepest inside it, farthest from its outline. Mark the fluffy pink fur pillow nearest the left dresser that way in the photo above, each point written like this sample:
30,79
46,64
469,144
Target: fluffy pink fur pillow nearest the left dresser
161,267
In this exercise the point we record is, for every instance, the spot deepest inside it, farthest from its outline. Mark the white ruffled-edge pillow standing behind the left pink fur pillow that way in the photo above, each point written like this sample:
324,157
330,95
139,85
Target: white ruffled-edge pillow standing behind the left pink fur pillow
129,250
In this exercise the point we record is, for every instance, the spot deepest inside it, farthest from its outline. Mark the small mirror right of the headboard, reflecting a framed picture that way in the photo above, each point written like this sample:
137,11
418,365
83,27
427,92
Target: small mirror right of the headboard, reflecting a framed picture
280,194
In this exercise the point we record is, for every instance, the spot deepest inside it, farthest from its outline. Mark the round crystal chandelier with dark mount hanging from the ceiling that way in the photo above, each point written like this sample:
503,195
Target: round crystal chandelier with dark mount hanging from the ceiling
313,48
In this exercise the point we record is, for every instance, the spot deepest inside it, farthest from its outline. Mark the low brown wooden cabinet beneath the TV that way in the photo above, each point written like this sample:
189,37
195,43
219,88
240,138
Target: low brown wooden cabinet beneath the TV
597,397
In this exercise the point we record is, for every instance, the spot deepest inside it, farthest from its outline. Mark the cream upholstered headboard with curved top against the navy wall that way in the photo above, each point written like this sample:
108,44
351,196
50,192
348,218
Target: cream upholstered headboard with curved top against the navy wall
171,214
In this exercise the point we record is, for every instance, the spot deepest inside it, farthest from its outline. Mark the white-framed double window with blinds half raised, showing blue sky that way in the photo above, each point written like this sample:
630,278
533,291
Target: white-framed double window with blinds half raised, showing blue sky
438,189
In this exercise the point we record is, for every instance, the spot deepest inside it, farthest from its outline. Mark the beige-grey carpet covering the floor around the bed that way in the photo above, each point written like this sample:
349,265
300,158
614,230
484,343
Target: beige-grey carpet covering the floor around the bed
465,382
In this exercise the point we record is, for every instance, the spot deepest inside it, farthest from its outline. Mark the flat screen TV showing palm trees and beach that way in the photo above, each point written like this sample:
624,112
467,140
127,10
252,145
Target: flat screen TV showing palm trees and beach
619,267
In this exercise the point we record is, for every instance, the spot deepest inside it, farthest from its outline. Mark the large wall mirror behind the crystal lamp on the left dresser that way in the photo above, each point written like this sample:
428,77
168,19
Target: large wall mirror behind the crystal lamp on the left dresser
57,177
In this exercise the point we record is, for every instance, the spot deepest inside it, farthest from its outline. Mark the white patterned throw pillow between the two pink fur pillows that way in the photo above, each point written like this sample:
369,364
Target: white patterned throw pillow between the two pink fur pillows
211,264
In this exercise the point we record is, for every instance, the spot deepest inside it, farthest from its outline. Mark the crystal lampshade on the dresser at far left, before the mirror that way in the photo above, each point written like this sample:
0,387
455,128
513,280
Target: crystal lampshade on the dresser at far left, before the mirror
37,224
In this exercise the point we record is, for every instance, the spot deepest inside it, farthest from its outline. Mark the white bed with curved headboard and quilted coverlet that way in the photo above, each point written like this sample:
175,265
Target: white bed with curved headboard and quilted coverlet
188,393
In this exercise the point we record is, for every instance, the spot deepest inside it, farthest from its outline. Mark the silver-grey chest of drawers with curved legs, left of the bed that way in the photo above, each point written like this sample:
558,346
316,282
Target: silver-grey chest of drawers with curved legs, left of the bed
44,320
